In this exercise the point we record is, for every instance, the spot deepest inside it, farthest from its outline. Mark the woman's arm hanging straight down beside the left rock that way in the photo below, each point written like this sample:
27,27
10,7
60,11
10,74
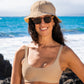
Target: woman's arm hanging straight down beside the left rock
16,77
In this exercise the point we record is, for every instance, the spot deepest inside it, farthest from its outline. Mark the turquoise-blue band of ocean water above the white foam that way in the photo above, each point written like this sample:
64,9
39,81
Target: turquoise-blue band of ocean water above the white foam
16,26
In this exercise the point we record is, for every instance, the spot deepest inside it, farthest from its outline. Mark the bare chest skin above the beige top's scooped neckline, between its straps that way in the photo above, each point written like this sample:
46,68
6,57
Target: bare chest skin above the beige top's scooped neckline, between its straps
41,57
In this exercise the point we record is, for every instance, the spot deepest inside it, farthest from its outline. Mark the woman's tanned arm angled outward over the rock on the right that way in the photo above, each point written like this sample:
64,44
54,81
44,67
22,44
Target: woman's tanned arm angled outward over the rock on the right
75,64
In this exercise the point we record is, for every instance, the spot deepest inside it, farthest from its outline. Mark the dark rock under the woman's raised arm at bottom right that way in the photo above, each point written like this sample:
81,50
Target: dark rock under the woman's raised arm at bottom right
68,77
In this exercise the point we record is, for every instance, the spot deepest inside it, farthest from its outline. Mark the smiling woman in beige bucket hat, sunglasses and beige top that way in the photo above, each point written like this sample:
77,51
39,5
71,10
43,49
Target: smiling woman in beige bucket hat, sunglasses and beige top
43,60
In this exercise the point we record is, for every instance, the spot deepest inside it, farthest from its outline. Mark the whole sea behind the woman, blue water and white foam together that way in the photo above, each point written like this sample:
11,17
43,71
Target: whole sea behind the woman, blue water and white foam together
14,34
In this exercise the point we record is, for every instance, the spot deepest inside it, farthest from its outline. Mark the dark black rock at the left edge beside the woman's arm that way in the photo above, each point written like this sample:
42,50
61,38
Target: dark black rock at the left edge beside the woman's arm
5,70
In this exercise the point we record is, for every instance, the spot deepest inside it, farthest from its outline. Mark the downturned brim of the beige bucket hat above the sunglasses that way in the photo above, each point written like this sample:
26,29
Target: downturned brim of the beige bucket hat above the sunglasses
38,15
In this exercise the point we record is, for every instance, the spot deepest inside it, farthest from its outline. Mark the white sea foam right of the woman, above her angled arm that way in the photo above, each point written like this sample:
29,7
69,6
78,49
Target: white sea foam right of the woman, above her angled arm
76,43
